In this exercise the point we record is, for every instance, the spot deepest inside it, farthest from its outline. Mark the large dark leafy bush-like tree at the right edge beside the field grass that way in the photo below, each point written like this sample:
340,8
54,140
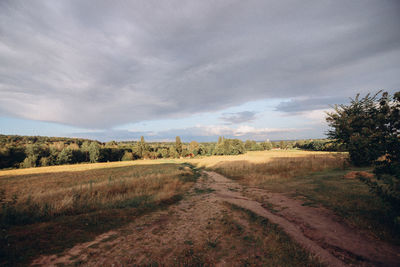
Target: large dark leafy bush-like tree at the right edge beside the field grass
370,129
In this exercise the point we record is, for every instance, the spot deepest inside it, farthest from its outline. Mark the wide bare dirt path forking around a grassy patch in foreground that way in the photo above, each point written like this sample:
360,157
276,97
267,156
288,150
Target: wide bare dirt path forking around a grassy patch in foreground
191,232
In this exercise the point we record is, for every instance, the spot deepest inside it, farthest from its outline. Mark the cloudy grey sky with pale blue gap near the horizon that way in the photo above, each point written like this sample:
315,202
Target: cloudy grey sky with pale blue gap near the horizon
117,70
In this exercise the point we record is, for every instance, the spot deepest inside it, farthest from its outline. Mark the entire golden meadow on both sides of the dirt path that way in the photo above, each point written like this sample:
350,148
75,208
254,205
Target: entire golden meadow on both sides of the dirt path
49,209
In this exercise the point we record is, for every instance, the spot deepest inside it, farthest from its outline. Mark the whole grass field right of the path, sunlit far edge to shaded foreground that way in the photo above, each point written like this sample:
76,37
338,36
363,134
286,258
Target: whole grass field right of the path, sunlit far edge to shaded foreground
319,179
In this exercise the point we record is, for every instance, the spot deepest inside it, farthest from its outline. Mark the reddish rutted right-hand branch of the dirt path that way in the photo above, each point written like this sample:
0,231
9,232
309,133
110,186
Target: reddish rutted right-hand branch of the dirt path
316,229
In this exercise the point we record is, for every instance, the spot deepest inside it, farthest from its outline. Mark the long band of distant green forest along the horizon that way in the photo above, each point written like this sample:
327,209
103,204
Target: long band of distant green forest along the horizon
34,151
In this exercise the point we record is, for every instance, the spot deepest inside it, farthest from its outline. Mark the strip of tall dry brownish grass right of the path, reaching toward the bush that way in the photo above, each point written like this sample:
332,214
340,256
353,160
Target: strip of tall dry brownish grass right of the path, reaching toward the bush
280,167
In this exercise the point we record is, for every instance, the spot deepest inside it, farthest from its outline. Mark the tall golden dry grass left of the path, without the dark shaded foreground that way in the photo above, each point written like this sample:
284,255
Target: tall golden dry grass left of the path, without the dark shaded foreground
27,199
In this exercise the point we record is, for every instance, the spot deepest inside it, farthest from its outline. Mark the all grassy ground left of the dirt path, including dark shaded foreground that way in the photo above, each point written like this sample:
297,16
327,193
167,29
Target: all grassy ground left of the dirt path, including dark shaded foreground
43,208
